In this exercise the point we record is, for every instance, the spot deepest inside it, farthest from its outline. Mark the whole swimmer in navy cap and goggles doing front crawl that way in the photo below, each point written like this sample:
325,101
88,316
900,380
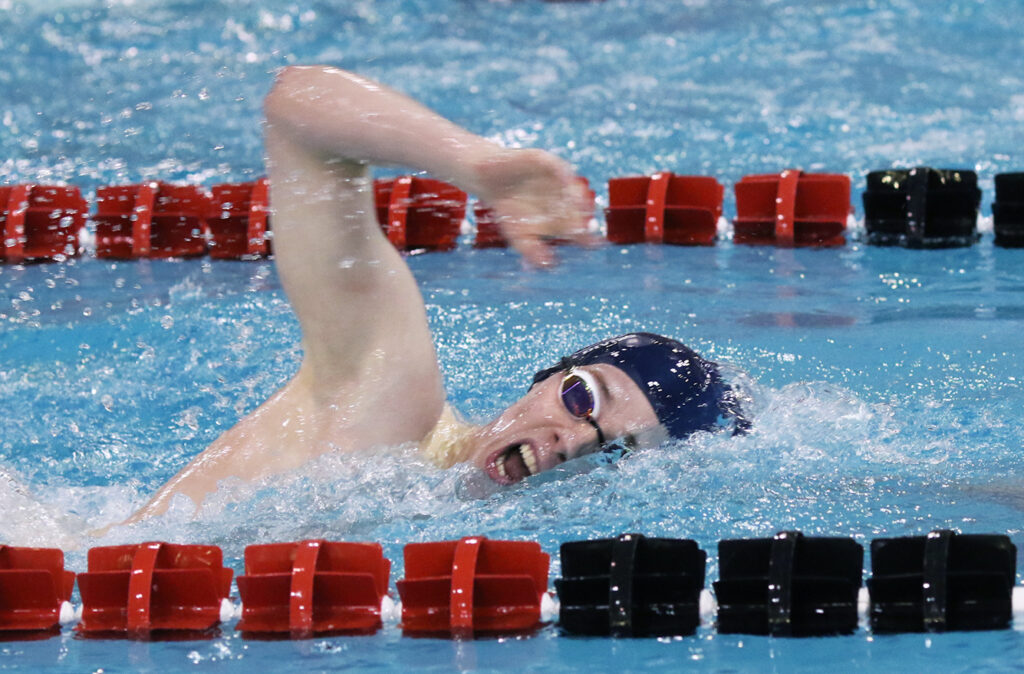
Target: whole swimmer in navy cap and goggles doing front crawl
365,336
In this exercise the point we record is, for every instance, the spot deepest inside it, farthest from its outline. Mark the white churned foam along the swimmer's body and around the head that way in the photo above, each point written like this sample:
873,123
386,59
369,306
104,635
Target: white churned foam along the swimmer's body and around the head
801,432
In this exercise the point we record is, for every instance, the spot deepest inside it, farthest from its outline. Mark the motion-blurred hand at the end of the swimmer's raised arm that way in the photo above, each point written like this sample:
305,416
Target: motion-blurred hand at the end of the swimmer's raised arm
538,199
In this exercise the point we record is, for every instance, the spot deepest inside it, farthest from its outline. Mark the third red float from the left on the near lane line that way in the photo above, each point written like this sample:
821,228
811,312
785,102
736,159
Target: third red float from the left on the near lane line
313,587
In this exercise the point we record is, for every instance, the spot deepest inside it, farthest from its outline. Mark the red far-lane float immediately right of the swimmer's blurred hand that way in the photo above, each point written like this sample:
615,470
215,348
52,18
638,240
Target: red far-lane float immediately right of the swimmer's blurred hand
664,208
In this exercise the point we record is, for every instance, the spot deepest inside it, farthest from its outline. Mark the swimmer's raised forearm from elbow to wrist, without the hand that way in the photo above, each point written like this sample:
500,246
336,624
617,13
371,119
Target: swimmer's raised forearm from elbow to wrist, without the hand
338,116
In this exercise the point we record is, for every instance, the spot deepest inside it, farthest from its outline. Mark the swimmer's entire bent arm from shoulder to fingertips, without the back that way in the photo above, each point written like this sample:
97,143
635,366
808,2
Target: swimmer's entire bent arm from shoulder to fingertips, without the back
350,288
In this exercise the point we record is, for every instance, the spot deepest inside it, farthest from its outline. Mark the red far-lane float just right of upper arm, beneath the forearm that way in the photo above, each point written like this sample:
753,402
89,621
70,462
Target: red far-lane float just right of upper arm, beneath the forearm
420,214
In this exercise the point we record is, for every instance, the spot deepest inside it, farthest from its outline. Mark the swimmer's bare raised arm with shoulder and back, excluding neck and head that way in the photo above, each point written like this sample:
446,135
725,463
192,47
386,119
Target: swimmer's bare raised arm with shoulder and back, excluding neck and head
369,376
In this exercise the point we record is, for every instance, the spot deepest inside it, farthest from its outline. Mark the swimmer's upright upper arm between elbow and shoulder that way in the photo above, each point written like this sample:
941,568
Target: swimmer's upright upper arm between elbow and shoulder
359,306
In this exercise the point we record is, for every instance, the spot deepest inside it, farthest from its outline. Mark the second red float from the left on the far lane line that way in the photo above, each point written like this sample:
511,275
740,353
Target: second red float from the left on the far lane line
153,220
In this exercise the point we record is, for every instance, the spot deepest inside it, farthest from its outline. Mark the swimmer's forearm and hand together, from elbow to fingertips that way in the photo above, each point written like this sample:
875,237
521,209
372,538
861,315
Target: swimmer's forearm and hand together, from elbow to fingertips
338,116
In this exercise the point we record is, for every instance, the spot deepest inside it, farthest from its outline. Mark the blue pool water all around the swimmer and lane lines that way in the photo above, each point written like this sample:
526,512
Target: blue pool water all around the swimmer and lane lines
887,385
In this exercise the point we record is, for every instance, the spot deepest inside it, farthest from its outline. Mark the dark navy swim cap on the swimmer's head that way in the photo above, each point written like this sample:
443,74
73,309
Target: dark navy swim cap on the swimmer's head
686,391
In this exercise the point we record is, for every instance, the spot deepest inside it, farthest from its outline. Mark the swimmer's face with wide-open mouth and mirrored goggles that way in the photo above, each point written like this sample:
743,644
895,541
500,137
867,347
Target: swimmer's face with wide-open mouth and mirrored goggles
545,429
